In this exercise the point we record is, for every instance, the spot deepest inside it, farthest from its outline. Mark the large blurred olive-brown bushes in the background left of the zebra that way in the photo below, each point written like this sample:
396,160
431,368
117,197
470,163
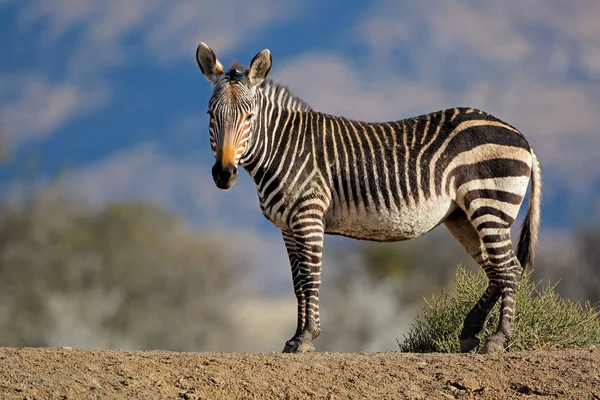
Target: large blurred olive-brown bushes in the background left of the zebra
128,275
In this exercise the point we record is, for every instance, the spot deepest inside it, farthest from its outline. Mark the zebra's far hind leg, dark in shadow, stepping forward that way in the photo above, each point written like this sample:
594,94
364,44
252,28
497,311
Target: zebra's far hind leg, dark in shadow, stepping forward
463,231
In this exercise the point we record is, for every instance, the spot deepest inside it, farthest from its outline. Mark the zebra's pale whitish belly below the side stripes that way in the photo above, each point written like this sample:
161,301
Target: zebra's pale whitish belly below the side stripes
390,225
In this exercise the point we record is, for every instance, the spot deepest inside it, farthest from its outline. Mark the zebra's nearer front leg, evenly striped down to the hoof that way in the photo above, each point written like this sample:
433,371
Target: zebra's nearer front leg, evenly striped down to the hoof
308,239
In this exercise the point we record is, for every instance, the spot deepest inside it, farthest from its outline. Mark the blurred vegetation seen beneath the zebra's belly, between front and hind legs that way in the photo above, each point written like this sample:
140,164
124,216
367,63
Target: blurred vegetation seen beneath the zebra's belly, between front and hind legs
373,290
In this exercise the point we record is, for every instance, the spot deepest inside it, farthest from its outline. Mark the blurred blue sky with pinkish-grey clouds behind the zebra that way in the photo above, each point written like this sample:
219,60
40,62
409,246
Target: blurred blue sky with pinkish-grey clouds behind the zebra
111,89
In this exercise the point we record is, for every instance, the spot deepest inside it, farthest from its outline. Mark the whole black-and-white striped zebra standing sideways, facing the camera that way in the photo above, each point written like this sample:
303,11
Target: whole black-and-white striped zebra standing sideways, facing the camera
319,174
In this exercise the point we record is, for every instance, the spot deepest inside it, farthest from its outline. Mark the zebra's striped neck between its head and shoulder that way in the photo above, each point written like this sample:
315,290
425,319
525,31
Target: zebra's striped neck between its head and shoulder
276,104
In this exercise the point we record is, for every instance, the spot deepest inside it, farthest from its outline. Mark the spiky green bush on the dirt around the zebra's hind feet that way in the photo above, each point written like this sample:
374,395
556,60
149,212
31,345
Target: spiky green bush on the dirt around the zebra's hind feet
543,319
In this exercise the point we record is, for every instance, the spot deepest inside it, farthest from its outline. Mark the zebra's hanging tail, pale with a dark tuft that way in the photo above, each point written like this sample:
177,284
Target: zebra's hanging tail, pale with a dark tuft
529,230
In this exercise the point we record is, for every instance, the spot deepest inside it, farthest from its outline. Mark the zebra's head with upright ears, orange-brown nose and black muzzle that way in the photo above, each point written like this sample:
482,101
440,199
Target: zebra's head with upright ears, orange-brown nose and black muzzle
232,109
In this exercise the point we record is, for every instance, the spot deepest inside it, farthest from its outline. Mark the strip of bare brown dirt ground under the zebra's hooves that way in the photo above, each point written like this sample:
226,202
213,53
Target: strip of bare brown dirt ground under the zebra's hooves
55,373
